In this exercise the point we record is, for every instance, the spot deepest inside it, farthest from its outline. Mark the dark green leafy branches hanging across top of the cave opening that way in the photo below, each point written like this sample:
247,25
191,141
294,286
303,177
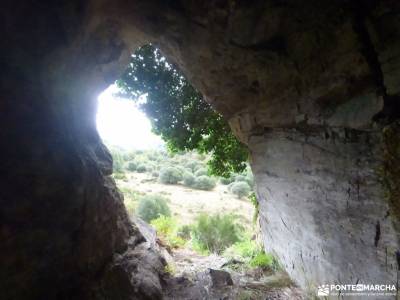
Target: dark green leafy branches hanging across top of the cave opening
179,113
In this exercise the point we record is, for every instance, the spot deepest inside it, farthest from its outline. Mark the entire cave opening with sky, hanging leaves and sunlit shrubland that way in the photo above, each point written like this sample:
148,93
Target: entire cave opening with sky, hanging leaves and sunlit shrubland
199,218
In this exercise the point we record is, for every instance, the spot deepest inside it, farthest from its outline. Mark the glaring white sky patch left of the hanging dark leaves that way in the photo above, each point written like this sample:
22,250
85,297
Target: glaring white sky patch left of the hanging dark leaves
122,124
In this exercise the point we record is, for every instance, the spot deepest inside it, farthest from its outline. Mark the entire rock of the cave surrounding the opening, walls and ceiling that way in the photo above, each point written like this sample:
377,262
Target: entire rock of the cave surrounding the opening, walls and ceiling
312,87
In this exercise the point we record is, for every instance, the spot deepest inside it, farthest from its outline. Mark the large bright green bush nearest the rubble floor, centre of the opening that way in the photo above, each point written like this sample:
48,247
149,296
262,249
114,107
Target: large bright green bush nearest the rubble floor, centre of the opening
215,233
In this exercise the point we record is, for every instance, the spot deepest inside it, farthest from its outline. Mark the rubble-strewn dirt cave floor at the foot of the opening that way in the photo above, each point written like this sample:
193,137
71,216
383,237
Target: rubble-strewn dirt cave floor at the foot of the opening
215,277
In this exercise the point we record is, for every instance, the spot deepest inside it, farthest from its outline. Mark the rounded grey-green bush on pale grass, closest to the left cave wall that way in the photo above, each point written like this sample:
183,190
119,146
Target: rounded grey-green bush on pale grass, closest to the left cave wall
150,207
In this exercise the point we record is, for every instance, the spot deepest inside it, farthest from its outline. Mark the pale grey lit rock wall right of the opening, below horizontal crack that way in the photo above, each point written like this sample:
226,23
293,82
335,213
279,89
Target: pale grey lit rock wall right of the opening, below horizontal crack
323,207
